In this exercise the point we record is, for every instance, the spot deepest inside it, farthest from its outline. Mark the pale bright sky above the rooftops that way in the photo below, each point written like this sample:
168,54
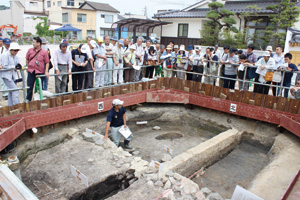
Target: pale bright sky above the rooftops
138,6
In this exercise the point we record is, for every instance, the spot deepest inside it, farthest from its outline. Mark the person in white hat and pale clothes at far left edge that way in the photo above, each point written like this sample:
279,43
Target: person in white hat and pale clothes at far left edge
10,60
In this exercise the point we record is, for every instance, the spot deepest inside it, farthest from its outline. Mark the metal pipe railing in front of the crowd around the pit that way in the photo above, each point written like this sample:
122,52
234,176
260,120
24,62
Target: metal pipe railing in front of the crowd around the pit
215,75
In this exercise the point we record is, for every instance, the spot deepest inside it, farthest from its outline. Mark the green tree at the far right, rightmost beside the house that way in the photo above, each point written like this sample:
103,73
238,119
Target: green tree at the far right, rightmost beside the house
284,14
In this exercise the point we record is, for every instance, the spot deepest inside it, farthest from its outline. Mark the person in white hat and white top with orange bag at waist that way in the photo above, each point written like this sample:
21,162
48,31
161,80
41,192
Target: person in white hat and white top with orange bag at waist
264,65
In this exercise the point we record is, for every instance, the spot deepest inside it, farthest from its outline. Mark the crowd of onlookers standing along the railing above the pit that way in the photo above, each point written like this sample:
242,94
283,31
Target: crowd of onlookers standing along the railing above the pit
108,61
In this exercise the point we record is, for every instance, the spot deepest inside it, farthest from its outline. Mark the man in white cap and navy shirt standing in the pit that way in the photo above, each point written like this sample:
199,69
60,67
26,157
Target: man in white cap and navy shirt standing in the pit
115,120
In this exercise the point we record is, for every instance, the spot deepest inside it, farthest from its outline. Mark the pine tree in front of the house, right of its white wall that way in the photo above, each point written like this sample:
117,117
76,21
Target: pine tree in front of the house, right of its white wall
220,18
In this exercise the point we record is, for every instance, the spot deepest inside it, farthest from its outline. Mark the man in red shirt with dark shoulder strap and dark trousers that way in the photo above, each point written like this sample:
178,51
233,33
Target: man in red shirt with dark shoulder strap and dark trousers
37,60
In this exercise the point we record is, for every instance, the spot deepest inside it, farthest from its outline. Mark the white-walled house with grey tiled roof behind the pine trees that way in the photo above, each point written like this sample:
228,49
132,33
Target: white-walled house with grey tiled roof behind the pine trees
188,22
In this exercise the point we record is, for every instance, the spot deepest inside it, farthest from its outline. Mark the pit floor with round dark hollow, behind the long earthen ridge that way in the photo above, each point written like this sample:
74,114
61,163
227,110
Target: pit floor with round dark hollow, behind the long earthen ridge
178,136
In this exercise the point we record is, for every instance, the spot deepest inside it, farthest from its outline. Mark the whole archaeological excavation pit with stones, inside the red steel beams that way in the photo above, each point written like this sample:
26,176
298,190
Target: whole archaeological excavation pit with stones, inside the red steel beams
233,151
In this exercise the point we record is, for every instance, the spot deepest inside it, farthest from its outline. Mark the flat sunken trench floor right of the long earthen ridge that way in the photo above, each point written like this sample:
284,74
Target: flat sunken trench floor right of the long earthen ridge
239,167
